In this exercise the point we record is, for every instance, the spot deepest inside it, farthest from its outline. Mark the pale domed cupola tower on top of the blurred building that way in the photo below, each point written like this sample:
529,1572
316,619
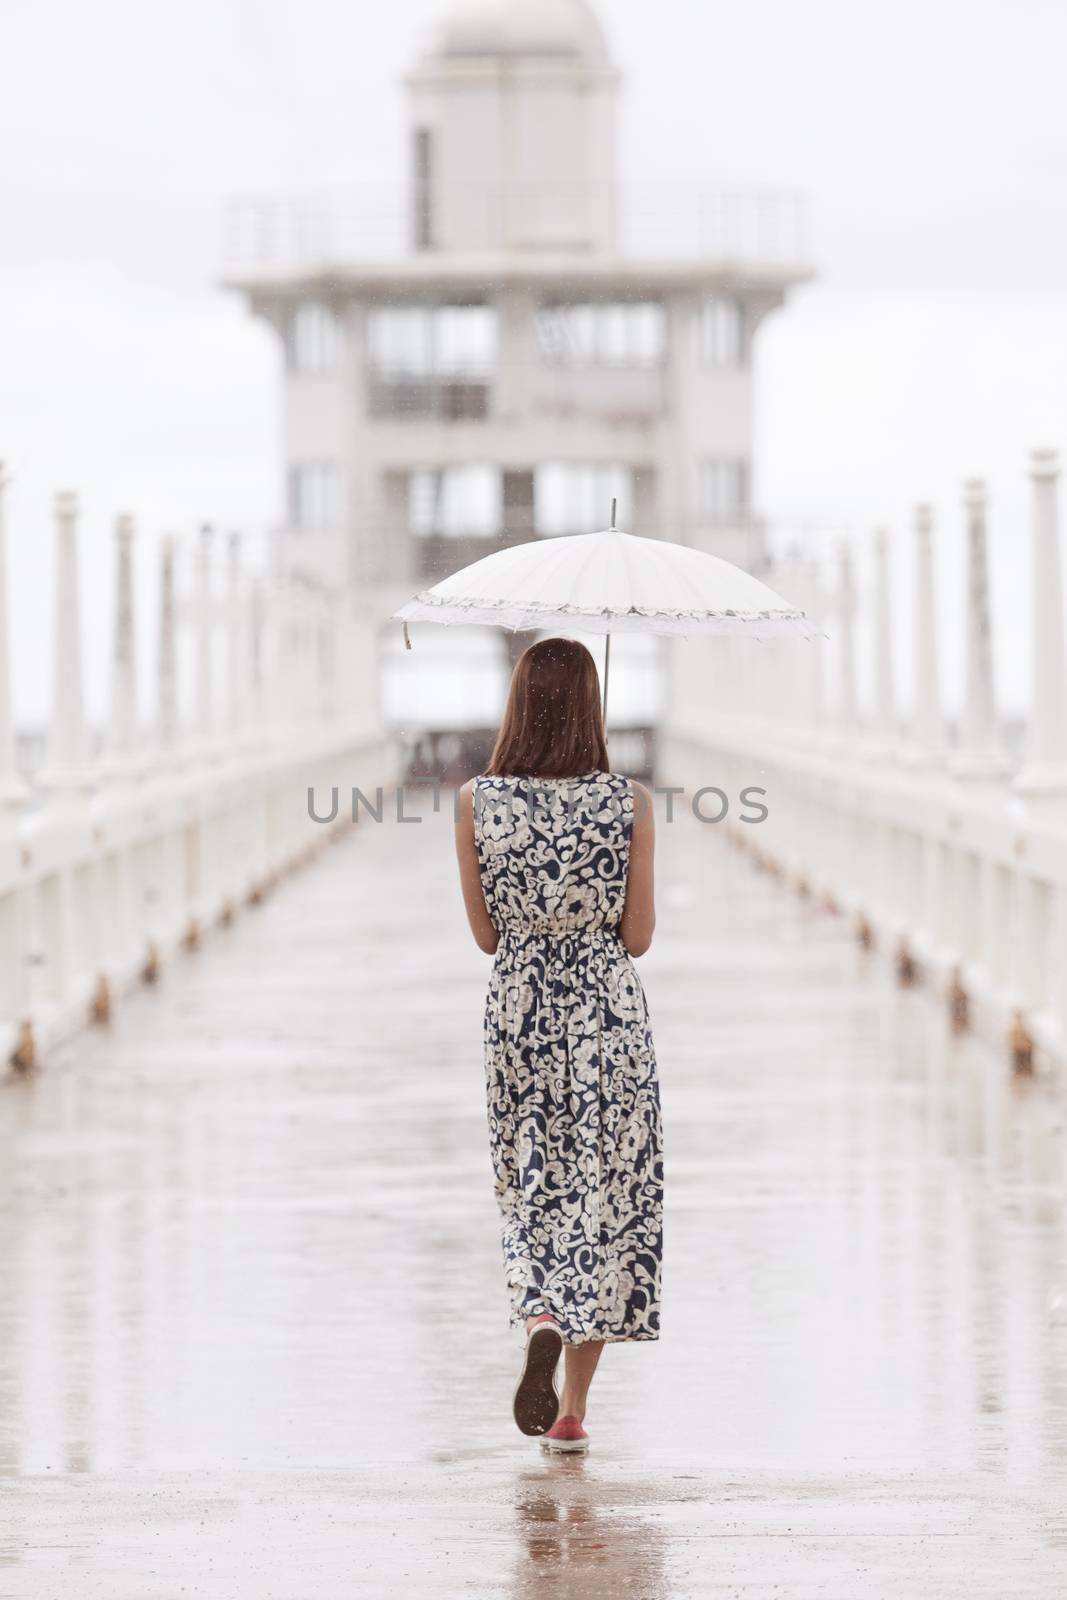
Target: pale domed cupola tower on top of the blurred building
514,142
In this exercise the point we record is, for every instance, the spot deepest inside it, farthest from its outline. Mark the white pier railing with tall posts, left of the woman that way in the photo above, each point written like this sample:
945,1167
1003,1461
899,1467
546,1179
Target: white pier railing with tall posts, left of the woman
113,865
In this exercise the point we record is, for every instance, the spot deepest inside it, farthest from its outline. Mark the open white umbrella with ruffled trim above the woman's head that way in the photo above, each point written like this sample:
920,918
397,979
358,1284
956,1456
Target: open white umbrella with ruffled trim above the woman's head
609,583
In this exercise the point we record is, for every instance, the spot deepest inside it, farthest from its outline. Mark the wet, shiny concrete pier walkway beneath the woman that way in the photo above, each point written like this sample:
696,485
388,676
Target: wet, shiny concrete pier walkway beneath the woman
252,1314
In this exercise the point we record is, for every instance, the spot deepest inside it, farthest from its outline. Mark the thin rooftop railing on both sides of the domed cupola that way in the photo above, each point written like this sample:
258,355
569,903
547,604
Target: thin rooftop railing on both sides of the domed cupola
332,228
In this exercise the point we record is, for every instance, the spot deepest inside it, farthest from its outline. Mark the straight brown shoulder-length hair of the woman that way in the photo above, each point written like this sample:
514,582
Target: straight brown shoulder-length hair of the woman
553,726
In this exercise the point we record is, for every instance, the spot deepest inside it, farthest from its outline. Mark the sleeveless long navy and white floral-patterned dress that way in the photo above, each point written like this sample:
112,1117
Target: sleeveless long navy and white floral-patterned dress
573,1094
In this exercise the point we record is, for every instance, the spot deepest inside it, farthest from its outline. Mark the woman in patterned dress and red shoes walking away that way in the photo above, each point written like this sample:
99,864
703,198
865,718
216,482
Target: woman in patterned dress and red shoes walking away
556,860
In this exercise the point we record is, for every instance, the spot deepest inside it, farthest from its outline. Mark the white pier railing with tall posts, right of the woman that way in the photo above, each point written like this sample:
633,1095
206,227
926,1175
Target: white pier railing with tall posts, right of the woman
949,865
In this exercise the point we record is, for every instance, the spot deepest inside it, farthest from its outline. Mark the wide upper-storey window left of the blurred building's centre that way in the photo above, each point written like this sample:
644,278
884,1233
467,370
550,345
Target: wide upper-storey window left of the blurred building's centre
431,342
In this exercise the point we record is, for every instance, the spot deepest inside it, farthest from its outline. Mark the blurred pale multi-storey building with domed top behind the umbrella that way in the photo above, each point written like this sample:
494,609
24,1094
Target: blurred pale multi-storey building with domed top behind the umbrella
532,343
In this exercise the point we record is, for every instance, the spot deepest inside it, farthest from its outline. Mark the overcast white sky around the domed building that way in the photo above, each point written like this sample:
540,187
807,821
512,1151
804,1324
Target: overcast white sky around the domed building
932,138
